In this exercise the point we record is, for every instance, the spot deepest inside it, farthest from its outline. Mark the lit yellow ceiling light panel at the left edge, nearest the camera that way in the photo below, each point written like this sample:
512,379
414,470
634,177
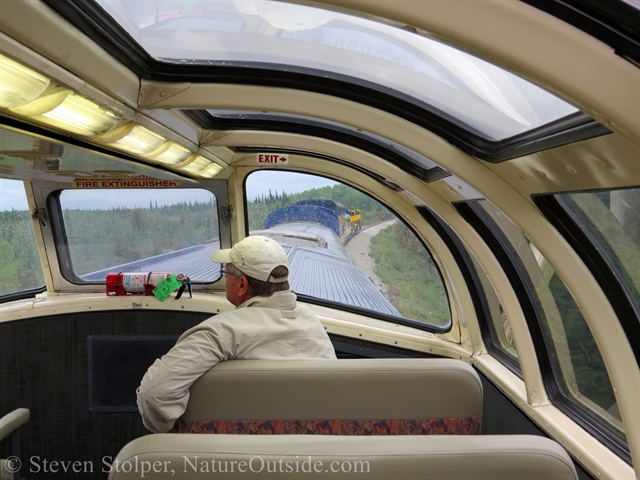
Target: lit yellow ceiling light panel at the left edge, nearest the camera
19,84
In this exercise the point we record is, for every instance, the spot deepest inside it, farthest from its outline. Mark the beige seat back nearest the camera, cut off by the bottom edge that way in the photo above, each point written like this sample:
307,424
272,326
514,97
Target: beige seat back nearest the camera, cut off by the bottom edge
478,457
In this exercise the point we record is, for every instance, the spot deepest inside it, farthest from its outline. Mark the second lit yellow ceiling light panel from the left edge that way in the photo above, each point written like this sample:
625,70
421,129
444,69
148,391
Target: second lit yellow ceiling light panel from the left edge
63,109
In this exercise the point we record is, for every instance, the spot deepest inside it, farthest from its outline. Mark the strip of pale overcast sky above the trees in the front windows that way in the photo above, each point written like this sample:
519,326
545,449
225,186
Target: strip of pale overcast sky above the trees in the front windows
12,194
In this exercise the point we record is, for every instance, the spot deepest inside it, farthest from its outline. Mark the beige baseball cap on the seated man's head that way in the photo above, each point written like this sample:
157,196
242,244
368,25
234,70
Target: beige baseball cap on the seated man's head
255,256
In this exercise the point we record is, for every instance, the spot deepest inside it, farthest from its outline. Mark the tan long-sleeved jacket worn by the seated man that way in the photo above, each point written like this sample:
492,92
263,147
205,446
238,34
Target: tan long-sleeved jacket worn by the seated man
267,328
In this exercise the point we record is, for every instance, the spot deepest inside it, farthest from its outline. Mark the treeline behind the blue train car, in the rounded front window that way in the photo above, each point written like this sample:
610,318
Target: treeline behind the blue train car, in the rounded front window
372,210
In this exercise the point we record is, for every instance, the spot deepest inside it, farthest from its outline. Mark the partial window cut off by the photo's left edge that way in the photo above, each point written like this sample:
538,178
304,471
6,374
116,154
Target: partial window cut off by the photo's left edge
21,268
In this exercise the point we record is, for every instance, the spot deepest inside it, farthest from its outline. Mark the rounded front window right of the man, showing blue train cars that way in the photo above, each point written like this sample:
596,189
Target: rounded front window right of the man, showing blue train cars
345,247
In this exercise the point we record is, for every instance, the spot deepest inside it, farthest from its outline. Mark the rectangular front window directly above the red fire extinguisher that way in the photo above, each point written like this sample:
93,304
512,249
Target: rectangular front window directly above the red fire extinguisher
137,230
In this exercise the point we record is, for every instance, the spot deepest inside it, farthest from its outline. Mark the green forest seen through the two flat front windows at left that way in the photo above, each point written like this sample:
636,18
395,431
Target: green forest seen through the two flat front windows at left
99,239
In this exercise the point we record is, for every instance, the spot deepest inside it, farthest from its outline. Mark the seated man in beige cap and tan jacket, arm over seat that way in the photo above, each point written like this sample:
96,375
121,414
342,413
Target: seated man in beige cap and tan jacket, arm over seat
266,324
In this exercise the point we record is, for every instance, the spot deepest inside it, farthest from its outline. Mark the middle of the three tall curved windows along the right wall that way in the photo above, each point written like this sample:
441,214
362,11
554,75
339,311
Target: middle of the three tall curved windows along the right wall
578,368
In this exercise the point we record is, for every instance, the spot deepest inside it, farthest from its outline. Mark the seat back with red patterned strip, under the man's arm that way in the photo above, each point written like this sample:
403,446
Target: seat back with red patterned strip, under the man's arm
345,397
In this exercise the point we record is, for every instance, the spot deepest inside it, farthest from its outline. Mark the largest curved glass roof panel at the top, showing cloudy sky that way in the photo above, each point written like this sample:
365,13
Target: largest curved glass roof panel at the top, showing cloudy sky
485,98
